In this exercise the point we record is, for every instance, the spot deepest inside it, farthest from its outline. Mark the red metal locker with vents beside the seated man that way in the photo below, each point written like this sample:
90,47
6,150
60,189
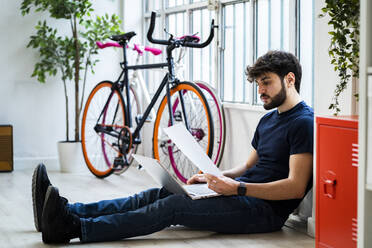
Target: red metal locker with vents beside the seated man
336,181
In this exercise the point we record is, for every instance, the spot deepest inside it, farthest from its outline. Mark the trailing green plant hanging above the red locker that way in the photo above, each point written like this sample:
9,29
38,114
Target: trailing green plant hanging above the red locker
344,48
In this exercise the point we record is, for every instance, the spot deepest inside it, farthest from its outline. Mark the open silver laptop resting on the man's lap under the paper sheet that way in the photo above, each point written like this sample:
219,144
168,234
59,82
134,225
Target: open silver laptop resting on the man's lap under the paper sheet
166,180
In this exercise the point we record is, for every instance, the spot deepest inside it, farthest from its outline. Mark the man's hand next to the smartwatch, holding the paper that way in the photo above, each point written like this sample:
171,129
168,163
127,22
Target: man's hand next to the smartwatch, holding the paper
222,184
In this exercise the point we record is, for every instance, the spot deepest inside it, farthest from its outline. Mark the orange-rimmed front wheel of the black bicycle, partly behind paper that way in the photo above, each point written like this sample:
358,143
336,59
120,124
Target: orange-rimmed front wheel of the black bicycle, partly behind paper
200,123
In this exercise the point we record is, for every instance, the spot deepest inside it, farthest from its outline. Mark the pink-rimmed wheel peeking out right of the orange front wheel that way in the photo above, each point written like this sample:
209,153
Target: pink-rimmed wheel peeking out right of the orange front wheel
219,124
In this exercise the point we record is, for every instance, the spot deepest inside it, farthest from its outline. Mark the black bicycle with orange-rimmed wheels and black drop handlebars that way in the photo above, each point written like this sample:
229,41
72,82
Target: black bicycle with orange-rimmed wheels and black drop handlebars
110,128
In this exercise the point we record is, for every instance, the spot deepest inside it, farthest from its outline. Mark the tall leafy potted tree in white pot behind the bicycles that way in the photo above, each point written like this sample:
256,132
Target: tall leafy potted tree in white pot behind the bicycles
70,55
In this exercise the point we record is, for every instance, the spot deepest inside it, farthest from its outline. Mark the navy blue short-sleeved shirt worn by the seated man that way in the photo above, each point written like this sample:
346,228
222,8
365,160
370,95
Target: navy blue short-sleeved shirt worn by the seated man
278,136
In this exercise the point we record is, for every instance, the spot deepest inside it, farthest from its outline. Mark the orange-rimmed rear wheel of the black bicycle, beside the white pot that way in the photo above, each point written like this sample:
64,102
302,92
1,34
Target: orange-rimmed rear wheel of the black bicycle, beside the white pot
104,108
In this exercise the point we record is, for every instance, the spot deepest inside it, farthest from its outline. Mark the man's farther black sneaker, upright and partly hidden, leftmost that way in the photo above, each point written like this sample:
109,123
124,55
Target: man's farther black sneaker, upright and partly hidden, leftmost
40,184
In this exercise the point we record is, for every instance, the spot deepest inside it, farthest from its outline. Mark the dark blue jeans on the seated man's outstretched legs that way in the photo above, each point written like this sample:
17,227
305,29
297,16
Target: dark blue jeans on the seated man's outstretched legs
155,209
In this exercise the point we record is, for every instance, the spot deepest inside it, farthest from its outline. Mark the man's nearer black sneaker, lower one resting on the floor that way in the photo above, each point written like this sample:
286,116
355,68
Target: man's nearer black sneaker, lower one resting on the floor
59,224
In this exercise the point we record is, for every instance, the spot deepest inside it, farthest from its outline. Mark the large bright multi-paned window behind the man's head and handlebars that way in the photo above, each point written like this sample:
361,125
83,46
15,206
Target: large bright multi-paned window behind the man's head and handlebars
247,30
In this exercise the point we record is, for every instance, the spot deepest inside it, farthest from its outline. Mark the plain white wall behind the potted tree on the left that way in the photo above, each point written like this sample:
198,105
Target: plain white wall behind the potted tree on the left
37,110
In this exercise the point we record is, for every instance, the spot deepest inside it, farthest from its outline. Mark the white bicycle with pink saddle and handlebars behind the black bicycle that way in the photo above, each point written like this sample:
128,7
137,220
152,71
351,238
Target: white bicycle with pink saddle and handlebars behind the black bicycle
137,84
